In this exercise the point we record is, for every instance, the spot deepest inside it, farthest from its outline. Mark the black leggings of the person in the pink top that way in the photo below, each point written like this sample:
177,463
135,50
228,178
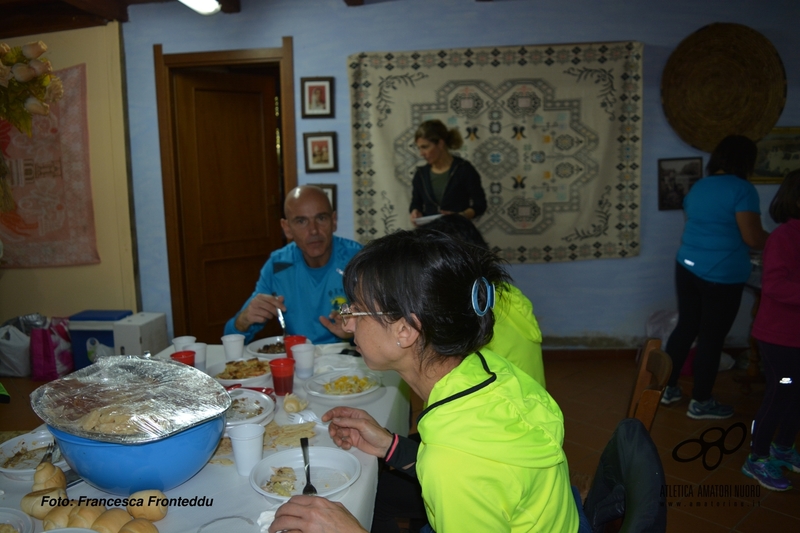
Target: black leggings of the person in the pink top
780,409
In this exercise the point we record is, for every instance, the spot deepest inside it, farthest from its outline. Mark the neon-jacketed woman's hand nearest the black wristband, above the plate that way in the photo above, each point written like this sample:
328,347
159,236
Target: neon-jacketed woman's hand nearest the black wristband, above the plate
353,427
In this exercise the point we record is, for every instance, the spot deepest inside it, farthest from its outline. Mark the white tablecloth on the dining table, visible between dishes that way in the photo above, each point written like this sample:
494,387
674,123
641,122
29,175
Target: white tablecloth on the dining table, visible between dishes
236,505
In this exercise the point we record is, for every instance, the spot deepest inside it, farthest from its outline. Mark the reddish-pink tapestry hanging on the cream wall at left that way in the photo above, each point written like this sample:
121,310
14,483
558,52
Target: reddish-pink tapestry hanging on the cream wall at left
52,223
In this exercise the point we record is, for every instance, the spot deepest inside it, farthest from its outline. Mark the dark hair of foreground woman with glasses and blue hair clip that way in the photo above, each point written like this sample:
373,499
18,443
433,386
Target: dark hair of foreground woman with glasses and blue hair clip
428,276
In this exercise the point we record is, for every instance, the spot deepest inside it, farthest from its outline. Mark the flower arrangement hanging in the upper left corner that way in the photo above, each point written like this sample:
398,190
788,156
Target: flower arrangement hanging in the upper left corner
27,88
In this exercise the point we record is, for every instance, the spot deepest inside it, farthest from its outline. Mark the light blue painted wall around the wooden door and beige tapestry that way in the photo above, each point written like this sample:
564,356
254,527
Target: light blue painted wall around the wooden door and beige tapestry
597,303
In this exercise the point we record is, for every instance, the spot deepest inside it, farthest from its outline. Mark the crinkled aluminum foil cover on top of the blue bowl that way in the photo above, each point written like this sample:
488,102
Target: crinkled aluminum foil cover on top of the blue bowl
130,400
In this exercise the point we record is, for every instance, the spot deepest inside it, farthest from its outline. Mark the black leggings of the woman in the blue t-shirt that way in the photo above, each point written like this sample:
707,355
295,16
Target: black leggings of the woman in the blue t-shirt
706,311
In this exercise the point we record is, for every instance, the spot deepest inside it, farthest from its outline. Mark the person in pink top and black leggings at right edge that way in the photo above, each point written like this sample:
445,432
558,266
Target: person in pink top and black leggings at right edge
777,329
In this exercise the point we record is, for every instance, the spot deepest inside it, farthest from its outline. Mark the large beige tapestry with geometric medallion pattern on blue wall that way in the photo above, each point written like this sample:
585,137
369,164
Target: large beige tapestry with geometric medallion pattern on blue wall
554,131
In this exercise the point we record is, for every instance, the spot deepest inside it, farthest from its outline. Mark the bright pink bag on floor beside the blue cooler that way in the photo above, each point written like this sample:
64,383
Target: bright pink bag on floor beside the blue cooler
51,351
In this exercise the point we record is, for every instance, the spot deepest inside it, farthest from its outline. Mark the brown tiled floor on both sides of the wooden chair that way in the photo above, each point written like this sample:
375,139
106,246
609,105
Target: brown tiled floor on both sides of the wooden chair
594,394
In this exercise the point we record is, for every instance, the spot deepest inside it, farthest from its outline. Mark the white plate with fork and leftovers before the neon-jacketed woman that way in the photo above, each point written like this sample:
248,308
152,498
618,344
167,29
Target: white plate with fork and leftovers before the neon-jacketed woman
332,470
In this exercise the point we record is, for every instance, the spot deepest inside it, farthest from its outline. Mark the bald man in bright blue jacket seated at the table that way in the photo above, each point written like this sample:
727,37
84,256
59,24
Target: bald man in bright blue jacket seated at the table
304,278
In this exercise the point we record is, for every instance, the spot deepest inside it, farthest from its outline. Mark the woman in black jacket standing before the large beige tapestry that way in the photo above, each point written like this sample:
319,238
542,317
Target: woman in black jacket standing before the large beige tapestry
447,184
